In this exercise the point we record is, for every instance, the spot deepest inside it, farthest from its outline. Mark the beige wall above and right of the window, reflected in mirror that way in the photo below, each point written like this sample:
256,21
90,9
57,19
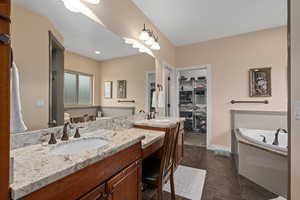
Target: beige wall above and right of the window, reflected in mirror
78,63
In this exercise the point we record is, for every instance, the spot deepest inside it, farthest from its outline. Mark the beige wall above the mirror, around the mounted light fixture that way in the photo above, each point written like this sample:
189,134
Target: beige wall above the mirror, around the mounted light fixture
126,20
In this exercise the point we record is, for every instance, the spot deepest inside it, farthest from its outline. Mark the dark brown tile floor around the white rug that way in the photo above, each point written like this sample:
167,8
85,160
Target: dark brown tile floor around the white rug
222,181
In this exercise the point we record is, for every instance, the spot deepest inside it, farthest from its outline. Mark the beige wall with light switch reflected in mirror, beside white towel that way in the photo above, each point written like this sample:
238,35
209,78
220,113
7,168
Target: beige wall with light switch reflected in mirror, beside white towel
31,54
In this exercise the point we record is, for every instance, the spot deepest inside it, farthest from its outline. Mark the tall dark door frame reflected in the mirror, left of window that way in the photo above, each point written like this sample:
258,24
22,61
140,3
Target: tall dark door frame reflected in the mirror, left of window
56,97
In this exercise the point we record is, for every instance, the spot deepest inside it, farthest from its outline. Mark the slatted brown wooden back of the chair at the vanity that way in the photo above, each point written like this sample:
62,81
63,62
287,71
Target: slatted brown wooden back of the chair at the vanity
169,152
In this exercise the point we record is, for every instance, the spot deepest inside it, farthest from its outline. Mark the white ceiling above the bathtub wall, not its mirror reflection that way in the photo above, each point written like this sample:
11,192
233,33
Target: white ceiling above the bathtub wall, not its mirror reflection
190,21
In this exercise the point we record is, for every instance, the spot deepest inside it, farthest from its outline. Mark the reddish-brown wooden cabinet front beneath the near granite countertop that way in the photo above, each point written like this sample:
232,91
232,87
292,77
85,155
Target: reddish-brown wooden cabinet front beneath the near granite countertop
117,177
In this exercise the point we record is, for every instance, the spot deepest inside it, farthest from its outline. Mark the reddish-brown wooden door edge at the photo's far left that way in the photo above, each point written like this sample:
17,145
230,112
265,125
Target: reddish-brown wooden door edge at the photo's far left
5,63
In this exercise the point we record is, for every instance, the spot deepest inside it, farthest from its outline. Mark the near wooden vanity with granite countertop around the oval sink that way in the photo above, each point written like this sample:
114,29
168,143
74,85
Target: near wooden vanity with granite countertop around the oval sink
110,172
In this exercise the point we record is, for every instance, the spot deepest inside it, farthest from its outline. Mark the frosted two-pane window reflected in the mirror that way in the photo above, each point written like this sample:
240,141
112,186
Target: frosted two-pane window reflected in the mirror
78,88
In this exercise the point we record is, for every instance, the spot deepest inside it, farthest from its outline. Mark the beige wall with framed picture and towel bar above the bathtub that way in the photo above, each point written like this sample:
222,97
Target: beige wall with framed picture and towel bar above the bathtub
230,59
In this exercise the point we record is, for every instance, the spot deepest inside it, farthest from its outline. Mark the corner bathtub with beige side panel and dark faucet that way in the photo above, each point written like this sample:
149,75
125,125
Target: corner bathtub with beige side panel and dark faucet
262,162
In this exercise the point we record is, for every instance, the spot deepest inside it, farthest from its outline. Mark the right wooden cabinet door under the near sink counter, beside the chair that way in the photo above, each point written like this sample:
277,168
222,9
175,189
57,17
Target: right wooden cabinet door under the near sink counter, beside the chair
127,184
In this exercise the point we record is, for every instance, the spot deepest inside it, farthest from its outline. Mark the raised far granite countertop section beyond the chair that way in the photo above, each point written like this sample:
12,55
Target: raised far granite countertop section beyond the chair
159,122
